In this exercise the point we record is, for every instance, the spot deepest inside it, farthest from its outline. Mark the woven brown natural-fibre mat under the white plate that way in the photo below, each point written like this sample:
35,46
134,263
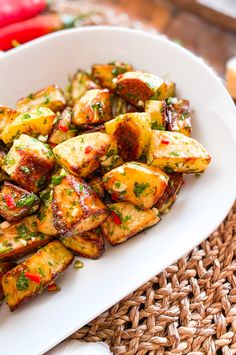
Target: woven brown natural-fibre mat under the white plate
190,308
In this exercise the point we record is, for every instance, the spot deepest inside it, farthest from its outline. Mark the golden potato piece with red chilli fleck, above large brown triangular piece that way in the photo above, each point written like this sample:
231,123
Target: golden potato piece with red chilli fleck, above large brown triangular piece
80,155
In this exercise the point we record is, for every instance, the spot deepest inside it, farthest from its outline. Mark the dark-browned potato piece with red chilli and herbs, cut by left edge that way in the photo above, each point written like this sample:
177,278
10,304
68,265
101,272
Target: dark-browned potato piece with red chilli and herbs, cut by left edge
16,202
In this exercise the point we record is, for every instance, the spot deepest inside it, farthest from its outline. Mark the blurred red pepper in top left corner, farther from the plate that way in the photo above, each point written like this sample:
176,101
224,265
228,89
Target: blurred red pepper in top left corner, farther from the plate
12,11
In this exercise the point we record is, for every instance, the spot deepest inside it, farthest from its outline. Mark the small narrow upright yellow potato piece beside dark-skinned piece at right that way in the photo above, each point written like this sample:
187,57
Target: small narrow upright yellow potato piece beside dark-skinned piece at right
158,114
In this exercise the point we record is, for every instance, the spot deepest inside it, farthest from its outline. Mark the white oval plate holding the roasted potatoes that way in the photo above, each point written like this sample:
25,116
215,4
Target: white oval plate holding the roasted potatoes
202,203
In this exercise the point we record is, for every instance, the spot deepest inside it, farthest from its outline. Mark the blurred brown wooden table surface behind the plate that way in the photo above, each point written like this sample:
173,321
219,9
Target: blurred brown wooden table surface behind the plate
206,39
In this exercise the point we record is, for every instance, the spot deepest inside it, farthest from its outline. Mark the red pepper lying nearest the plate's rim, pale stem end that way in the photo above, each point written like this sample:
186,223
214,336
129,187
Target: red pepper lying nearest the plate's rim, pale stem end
38,26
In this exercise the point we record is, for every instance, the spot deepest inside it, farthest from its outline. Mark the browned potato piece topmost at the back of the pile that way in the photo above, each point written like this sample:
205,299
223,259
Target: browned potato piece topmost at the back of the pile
105,73
